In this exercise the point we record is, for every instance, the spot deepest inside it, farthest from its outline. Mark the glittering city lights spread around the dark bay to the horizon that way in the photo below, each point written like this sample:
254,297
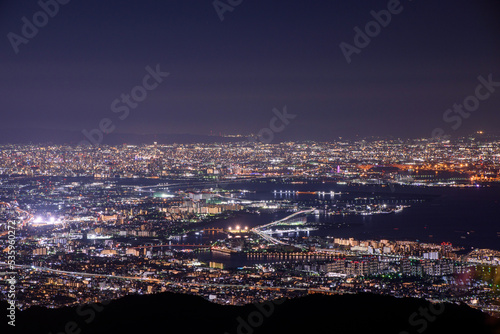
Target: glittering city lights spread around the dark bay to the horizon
99,223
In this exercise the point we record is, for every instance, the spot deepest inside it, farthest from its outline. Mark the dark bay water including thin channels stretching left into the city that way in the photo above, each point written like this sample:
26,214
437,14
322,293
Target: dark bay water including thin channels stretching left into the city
468,217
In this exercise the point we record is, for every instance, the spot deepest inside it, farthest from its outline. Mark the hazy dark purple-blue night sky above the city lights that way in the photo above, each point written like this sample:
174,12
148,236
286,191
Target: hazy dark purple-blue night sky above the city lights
227,76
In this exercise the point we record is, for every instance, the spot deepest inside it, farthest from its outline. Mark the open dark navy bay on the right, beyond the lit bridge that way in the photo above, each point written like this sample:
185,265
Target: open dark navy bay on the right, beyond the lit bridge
469,217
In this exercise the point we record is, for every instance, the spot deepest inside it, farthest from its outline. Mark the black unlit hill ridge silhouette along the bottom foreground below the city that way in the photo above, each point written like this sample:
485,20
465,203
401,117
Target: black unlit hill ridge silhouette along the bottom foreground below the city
168,313
